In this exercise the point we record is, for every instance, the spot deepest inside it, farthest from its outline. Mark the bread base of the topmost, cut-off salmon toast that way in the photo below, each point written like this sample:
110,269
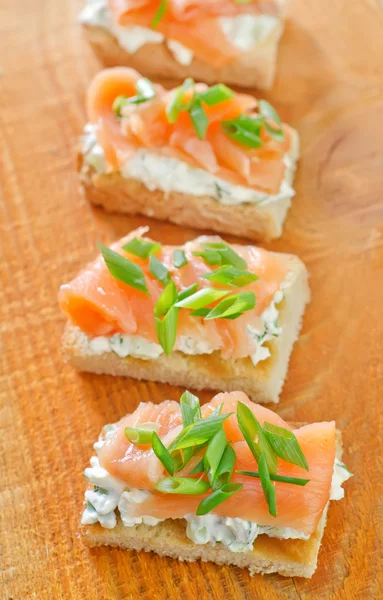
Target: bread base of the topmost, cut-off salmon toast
253,69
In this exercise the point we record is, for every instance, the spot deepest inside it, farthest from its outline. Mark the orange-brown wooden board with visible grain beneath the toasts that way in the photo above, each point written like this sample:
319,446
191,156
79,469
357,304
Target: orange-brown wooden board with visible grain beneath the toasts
330,86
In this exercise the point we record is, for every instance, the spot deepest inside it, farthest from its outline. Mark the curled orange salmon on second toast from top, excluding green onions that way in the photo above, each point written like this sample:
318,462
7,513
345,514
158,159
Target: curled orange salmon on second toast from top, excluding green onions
146,126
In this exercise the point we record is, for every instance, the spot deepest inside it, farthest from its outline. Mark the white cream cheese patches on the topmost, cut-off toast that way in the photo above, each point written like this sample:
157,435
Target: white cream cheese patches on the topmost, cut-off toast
246,32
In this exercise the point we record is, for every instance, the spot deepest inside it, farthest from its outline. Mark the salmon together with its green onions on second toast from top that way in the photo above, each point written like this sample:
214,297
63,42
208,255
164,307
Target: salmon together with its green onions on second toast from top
222,148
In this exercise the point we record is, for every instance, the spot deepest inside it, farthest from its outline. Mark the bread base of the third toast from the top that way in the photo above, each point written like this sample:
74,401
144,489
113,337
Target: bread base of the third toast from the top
262,383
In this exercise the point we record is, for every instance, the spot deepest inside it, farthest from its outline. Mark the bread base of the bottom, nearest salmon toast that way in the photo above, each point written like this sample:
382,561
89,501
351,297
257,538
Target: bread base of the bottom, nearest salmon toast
292,558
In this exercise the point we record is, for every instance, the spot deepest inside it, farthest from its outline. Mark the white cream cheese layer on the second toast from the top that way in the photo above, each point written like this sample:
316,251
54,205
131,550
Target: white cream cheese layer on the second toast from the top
167,174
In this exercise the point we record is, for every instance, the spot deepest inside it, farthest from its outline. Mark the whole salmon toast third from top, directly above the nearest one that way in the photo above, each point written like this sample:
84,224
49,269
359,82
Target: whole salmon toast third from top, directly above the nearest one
203,315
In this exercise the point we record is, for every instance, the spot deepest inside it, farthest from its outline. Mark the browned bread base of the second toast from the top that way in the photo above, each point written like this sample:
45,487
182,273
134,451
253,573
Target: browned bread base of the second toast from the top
119,194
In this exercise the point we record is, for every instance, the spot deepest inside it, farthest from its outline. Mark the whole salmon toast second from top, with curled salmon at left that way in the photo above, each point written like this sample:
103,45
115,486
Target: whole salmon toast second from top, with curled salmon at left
197,156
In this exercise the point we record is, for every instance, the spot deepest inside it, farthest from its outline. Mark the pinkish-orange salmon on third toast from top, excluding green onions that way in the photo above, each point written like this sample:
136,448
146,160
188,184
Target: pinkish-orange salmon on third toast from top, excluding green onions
100,305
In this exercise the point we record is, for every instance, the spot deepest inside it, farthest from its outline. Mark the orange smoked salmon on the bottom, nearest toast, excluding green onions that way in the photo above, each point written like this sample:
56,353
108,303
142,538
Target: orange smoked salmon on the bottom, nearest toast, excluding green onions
299,507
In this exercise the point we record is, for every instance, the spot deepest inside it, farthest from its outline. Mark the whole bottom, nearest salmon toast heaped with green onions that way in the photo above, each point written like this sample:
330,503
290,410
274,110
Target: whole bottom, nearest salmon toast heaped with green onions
229,482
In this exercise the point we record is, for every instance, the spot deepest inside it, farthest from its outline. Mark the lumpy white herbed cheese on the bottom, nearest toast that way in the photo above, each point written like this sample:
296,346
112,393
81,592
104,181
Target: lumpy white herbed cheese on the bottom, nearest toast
236,534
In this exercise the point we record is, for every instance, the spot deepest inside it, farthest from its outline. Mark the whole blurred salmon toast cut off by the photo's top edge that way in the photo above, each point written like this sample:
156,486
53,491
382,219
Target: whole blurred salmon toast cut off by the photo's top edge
230,41
